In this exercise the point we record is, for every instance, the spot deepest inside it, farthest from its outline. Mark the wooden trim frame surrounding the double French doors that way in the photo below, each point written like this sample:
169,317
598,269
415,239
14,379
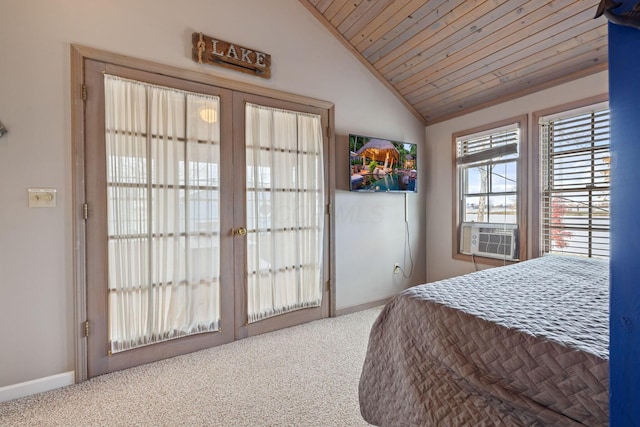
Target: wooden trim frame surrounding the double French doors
78,131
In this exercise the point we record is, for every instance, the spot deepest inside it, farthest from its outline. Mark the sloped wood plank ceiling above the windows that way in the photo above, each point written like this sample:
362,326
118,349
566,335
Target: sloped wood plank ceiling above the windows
446,58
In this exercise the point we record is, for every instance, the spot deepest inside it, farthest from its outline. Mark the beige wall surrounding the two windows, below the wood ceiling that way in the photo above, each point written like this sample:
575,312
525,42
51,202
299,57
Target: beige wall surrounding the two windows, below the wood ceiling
440,263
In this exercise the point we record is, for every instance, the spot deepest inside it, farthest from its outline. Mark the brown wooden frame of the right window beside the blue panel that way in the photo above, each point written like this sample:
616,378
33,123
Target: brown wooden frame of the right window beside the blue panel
536,248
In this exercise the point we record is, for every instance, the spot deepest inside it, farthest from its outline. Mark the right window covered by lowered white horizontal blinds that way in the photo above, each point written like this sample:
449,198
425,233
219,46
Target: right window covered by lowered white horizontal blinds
575,165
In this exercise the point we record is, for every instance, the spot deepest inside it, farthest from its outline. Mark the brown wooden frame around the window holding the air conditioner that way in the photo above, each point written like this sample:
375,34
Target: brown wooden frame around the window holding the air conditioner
522,164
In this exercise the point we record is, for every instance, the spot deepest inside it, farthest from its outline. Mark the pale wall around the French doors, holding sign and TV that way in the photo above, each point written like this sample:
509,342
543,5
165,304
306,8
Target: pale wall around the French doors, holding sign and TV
36,266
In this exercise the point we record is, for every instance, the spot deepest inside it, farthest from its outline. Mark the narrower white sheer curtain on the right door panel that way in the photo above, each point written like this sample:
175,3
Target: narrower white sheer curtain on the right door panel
285,210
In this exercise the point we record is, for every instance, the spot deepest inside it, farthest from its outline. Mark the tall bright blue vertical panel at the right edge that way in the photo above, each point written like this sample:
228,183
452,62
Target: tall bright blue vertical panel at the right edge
624,97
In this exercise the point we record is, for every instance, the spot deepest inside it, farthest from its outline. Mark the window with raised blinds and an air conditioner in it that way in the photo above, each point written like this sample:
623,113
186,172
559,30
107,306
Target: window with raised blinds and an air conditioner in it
488,175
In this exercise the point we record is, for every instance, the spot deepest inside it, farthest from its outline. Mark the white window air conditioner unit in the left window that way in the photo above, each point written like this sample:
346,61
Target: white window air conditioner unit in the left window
489,240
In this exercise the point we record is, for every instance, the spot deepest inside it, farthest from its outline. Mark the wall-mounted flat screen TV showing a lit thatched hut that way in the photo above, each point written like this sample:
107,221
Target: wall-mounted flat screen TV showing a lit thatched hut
382,165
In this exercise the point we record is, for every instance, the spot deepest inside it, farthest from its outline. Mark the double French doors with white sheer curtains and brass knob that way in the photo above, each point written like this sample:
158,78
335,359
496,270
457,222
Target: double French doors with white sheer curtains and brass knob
206,215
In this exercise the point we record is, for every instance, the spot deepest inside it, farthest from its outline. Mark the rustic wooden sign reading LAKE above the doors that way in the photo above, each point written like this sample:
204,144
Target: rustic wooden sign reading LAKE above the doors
207,50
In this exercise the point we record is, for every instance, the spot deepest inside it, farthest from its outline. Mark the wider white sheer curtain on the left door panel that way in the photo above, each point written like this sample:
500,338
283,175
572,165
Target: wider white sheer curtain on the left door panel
162,153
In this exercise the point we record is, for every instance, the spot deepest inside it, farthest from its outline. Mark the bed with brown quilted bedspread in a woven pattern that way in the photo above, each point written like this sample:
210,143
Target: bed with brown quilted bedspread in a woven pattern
520,345
